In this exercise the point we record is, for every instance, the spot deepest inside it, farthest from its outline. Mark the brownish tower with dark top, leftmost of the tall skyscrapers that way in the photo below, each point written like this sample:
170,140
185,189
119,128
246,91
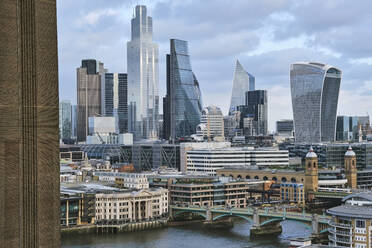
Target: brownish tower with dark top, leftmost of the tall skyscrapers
88,95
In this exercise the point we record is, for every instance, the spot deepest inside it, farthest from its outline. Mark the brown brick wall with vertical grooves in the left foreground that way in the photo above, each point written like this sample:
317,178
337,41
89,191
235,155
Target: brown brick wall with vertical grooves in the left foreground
29,171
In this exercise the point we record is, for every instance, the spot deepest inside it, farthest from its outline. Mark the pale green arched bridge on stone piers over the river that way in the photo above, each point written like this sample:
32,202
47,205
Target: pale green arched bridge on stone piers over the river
264,221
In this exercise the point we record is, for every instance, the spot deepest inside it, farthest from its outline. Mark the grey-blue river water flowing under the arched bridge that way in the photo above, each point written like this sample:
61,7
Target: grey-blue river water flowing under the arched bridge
190,236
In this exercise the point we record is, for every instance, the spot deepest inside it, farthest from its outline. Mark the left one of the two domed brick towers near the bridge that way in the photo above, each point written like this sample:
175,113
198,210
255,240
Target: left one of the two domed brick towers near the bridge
311,174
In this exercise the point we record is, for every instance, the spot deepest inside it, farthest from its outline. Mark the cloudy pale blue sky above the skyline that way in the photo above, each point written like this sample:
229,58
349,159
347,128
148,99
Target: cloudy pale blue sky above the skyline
265,35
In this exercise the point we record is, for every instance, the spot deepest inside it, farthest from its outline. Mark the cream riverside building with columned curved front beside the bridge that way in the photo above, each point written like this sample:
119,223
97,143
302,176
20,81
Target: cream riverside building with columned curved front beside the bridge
122,207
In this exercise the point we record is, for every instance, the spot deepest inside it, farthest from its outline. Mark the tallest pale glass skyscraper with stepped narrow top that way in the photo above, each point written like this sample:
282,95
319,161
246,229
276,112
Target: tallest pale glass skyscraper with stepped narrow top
143,78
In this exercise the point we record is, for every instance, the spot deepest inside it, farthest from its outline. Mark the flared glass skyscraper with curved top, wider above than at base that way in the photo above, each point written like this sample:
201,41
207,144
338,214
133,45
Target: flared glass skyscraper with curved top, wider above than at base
314,89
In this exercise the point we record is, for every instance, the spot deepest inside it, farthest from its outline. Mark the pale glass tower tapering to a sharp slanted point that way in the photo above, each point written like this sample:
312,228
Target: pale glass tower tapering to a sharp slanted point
242,82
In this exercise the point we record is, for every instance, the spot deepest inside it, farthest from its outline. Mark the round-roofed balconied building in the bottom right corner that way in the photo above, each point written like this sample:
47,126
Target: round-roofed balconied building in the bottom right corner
352,222
